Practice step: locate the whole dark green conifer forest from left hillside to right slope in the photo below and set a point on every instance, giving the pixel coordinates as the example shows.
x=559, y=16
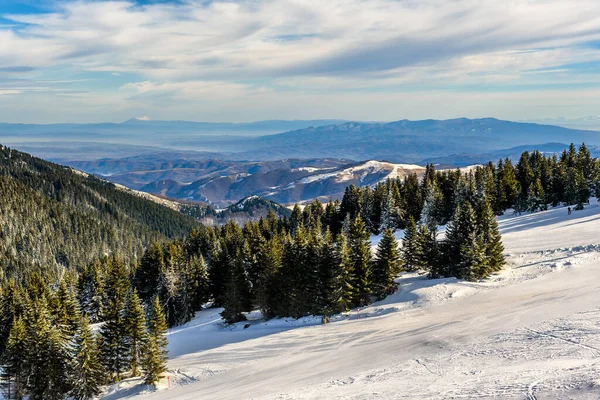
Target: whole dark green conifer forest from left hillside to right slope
x=316, y=261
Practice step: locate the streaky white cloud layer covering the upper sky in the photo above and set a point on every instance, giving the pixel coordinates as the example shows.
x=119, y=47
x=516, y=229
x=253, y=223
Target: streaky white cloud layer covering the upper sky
x=290, y=49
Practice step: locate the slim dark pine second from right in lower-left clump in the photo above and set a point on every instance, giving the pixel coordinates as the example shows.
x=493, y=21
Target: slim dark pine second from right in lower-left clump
x=134, y=321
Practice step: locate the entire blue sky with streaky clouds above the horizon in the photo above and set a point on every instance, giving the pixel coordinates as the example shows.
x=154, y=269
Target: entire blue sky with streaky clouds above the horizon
x=248, y=60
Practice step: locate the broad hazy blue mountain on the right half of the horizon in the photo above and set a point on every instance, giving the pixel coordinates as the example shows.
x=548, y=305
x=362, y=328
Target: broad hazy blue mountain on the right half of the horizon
x=408, y=141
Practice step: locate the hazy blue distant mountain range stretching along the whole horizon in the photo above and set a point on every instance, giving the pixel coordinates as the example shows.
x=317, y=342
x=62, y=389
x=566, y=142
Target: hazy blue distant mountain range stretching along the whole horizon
x=400, y=142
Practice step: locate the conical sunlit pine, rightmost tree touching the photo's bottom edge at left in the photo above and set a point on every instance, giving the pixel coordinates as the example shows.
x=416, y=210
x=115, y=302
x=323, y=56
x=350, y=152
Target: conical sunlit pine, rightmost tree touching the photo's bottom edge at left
x=88, y=372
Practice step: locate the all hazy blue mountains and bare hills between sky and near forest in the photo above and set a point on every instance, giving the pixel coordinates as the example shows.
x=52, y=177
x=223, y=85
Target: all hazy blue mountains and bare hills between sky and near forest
x=283, y=161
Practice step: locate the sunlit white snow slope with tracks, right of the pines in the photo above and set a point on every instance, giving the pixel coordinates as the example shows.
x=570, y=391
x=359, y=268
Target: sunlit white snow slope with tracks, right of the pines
x=529, y=332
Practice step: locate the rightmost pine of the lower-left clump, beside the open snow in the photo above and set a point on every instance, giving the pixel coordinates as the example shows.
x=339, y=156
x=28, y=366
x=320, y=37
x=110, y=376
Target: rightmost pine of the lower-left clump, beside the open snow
x=155, y=356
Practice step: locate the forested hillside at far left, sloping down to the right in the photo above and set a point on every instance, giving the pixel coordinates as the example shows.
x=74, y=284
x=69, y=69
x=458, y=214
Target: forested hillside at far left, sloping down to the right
x=53, y=216
